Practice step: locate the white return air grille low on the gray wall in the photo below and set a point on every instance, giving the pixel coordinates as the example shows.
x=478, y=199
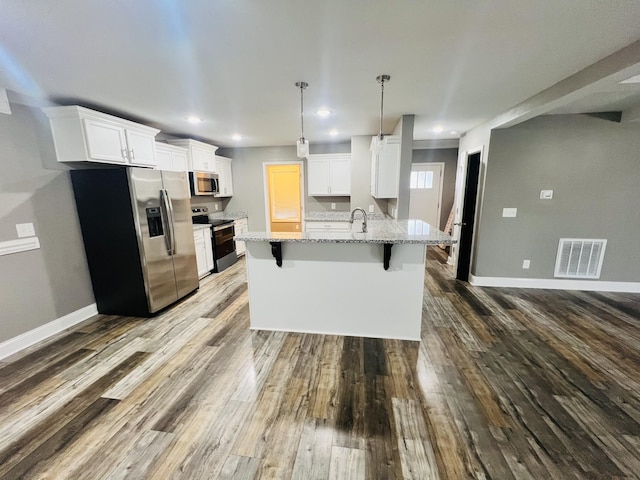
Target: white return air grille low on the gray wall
x=580, y=258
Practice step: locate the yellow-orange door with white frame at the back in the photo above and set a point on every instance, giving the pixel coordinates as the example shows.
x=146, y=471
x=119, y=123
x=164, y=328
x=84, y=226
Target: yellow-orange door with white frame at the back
x=285, y=202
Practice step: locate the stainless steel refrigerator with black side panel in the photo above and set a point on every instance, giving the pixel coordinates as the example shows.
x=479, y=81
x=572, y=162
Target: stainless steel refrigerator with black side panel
x=138, y=237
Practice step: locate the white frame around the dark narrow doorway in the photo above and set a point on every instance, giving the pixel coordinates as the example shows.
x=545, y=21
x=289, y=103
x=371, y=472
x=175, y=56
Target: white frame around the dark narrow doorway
x=459, y=206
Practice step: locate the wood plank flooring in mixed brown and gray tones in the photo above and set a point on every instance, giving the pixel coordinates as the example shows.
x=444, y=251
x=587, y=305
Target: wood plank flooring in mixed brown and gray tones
x=505, y=384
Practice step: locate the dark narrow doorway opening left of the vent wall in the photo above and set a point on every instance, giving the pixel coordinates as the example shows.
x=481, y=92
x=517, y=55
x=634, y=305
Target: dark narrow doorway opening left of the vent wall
x=467, y=221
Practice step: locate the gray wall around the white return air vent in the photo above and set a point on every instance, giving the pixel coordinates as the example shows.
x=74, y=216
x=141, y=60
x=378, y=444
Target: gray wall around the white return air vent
x=592, y=165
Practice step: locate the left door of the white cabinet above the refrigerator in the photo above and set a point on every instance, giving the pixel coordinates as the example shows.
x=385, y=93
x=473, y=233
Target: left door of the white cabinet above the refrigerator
x=106, y=142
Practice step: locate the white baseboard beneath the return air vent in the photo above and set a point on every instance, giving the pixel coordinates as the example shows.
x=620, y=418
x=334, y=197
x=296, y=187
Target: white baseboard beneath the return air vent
x=555, y=284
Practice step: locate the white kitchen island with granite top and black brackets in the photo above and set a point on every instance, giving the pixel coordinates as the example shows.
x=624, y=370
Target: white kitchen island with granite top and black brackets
x=341, y=282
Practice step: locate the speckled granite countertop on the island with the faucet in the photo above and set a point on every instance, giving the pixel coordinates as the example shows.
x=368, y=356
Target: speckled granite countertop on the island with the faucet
x=379, y=231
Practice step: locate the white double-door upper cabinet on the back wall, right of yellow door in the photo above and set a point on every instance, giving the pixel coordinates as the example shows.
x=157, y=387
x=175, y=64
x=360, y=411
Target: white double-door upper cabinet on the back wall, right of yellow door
x=329, y=175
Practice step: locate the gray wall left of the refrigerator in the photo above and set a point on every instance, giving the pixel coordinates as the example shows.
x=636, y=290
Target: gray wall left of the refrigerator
x=41, y=285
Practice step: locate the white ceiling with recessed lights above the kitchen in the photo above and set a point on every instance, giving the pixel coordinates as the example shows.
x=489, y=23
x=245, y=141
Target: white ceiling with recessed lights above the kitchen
x=234, y=63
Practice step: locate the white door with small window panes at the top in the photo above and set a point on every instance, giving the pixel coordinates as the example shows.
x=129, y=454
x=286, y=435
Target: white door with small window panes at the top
x=425, y=192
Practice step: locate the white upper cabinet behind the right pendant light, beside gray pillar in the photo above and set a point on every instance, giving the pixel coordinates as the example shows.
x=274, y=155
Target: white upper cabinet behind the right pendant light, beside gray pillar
x=385, y=169
